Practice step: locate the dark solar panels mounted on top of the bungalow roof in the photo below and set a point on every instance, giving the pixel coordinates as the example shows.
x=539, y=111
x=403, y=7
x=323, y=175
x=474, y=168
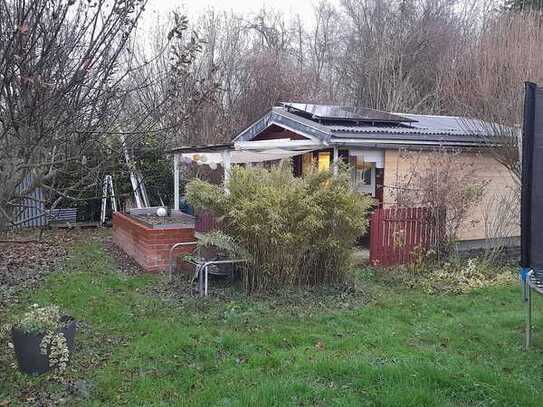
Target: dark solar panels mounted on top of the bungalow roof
x=359, y=114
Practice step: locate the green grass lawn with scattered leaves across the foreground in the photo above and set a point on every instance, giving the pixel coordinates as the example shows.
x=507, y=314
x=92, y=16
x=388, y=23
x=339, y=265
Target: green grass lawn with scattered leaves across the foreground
x=405, y=348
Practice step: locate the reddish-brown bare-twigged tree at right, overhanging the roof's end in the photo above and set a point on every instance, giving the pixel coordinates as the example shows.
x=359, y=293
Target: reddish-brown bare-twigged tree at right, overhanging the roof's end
x=485, y=80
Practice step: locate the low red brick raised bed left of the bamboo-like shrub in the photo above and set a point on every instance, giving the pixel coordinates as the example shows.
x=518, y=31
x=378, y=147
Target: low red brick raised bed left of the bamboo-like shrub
x=149, y=246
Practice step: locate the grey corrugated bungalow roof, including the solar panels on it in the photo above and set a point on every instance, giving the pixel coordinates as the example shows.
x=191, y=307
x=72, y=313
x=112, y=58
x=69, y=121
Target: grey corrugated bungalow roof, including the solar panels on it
x=338, y=125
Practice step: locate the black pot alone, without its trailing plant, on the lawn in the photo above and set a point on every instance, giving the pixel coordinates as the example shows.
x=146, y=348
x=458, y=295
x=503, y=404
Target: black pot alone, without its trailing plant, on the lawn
x=27, y=347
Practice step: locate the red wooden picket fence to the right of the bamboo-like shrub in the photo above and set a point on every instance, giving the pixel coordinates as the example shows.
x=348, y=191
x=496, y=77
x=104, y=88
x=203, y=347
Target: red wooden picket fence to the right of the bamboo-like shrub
x=398, y=234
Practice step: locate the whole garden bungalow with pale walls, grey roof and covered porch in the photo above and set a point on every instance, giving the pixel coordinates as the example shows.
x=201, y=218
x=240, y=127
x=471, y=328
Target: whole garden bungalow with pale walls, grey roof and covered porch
x=370, y=141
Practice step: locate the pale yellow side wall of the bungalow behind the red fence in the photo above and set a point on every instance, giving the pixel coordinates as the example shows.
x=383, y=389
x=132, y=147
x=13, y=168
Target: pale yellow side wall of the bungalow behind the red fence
x=486, y=169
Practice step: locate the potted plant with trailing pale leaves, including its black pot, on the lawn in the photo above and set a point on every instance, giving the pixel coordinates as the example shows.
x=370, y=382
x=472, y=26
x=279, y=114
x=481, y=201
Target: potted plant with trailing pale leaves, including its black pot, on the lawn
x=43, y=339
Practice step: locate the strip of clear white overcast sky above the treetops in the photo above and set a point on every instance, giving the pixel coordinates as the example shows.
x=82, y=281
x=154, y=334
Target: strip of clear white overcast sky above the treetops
x=195, y=7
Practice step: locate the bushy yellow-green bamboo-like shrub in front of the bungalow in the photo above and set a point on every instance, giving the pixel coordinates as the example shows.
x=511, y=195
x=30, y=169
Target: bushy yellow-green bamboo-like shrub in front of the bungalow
x=295, y=231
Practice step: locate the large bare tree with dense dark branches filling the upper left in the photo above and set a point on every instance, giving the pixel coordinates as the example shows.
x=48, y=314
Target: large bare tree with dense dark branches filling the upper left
x=77, y=85
